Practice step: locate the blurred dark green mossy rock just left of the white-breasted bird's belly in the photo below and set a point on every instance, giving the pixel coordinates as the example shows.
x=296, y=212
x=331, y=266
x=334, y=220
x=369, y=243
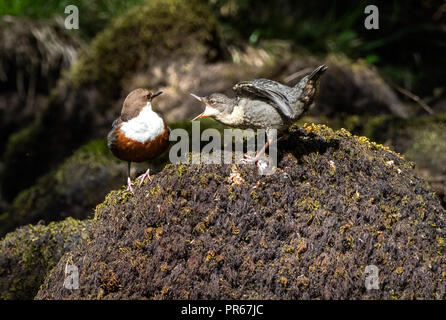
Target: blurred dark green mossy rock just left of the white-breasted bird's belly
x=72, y=190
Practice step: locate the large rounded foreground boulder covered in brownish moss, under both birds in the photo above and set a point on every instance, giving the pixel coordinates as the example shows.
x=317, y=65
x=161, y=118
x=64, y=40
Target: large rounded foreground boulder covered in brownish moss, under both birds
x=336, y=204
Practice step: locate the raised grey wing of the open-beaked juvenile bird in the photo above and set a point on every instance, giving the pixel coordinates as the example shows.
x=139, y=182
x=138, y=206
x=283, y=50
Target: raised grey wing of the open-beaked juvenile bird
x=266, y=90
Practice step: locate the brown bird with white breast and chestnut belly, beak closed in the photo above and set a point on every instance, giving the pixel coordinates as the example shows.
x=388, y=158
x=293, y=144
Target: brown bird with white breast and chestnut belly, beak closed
x=139, y=134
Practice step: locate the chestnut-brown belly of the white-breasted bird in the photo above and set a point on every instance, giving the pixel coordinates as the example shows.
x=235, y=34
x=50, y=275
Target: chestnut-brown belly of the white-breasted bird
x=131, y=150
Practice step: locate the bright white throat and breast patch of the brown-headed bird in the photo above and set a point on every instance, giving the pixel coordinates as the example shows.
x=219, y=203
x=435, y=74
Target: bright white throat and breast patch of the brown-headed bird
x=145, y=127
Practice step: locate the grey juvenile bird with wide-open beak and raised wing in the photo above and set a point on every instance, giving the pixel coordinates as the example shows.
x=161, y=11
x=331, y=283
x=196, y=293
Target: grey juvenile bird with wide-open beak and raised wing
x=263, y=104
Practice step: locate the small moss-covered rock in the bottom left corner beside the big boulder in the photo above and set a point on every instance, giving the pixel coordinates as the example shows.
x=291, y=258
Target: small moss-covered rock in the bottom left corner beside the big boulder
x=28, y=254
